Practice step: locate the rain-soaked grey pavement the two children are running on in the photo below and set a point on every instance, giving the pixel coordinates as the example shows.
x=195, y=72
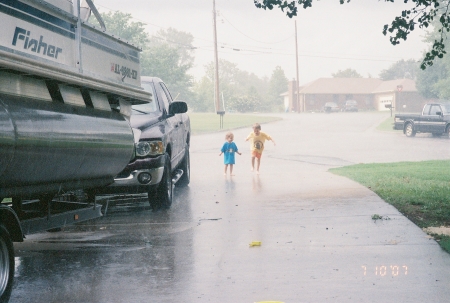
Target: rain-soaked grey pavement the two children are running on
x=318, y=241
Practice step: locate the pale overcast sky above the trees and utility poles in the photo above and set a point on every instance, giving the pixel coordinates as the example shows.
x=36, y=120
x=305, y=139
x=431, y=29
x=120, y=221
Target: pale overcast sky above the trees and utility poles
x=331, y=36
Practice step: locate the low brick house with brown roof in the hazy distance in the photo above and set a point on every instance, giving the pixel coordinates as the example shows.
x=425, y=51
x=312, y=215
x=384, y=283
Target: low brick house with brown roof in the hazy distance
x=370, y=93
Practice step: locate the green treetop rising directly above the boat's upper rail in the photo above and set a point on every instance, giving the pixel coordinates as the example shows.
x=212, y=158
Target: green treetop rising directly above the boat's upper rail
x=120, y=24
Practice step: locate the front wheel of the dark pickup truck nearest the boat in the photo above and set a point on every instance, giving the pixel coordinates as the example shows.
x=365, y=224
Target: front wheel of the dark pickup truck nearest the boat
x=164, y=193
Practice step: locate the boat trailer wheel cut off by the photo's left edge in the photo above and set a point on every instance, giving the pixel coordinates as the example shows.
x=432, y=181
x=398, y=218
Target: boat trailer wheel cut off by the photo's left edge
x=6, y=264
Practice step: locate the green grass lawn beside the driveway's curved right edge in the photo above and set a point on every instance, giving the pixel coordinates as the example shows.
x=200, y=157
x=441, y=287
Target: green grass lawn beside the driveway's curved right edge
x=419, y=190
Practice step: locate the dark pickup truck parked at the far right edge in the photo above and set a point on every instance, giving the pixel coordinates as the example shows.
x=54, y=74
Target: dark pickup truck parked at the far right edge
x=434, y=119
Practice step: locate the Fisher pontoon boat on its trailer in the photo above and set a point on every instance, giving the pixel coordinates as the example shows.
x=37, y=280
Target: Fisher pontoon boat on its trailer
x=66, y=90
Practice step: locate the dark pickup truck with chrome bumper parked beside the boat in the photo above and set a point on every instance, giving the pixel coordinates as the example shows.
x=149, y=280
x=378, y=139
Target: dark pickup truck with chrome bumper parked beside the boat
x=161, y=158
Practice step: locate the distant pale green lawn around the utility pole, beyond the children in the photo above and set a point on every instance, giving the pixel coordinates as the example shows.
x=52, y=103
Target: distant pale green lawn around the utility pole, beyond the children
x=210, y=122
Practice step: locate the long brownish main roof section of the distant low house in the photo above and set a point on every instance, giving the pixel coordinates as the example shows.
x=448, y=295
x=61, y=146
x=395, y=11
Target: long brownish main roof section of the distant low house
x=341, y=86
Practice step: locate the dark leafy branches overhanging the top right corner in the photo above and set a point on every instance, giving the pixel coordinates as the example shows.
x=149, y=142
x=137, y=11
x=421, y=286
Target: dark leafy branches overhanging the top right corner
x=422, y=14
